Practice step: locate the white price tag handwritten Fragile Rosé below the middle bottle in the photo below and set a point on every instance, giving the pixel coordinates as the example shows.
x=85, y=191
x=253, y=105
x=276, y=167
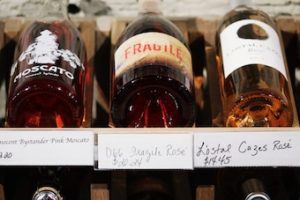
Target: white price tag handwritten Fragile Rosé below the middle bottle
x=145, y=151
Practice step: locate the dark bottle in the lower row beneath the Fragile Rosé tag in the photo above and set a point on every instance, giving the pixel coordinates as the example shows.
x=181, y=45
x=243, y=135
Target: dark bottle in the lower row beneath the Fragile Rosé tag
x=149, y=186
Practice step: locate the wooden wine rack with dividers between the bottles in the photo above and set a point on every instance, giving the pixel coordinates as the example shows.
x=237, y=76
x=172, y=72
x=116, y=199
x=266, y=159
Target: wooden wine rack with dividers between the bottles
x=100, y=36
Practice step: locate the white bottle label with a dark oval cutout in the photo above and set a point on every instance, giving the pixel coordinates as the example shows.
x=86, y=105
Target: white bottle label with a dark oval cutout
x=249, y=42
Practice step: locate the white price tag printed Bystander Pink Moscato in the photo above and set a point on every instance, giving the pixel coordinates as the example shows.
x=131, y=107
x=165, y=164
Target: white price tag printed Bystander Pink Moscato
x=46, y=148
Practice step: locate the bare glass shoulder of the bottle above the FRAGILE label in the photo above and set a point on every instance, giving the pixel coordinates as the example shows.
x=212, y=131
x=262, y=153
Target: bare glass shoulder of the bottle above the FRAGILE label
x=151, y=23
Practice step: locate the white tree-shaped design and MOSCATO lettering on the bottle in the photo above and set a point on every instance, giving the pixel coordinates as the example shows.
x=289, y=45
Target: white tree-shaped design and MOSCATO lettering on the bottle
x=42, y=55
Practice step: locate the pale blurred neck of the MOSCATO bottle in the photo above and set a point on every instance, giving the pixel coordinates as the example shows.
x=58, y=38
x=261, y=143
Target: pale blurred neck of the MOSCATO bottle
x=54, y=10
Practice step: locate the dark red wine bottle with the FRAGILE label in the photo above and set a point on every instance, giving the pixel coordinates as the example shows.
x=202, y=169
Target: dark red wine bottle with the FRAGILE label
x=152, y=77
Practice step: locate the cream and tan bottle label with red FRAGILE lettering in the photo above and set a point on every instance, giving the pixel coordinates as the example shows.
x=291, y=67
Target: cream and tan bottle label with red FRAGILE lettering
x=153, y=48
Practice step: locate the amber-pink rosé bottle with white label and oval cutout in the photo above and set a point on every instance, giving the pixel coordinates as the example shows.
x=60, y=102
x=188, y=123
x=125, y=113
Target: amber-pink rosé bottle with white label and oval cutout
x=254, y=79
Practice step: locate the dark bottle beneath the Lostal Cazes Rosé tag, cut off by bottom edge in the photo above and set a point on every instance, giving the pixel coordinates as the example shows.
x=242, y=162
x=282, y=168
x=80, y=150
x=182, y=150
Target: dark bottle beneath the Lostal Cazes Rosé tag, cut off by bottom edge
x=250, y=184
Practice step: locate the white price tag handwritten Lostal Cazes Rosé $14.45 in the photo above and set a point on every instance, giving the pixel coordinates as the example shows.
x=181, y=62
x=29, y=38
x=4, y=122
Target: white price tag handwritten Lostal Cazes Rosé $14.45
x=222, y=149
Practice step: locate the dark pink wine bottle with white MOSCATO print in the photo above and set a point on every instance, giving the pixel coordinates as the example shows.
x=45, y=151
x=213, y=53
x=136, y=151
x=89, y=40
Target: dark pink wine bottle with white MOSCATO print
x=47, y=79
